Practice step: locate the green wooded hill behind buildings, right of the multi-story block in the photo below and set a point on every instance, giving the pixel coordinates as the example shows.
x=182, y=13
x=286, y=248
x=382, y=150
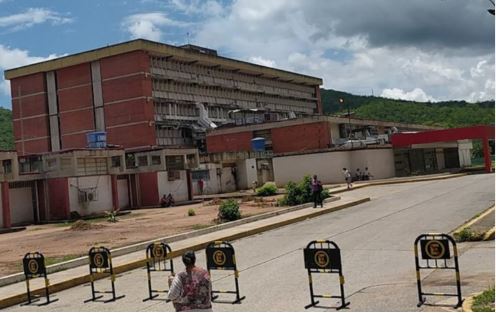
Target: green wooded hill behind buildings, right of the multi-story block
x=444, y=114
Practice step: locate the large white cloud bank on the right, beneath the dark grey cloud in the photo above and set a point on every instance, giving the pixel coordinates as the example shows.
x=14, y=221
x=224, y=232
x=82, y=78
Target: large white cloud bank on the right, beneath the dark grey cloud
x=300, y=36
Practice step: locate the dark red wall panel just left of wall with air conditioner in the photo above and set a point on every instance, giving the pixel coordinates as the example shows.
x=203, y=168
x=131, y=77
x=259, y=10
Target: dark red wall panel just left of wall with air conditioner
x=58, y=195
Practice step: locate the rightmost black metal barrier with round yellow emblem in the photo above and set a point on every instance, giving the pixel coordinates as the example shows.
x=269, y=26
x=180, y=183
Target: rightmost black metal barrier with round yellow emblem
x=435, y=248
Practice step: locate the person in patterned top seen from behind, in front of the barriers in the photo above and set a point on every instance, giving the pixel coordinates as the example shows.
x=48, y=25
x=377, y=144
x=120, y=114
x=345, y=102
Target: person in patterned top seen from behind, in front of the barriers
x=191, y=289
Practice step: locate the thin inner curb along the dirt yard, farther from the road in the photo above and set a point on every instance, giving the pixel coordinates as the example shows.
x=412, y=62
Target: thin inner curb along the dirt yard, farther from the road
x=18, y=277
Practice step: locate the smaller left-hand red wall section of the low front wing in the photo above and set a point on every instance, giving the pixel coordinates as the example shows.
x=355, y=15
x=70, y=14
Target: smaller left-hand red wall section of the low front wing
x=230, y=142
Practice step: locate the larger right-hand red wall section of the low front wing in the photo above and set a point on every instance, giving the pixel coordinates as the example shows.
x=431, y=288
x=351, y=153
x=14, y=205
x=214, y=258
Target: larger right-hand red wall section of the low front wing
x=301, y=137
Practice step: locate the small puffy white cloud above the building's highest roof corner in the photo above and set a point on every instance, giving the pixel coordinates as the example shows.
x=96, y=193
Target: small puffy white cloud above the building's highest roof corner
x=148, y=25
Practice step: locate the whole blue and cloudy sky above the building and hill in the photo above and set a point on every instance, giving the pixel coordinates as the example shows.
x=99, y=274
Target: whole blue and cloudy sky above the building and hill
x=423, y=50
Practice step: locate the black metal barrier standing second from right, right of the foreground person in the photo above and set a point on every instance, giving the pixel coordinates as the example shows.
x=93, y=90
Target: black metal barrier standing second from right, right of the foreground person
x=324, y=256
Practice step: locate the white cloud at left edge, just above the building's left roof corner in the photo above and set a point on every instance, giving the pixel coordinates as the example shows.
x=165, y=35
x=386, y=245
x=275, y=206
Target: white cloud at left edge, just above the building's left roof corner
x=11, y=58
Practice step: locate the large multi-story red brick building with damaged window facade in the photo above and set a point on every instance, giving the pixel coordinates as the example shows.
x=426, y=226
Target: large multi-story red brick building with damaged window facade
x=146, y=94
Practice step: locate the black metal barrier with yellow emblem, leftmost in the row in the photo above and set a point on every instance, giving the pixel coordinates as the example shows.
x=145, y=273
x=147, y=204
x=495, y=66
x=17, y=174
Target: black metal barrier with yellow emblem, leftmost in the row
x=34, y=266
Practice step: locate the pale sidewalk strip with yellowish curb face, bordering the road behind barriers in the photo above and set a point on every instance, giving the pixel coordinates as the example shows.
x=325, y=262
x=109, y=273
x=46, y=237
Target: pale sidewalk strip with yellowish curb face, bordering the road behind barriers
x=15, y=293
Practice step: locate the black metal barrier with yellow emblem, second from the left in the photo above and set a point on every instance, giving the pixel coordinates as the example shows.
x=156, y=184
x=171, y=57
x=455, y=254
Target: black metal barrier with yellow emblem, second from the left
x=101, y=262
